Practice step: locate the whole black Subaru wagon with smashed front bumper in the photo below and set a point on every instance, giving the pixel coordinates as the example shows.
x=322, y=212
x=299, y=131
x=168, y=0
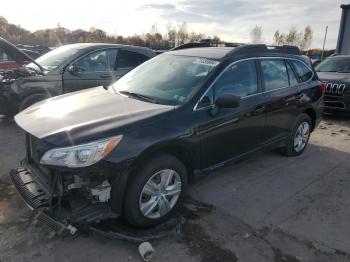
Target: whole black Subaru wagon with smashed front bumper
x=131, y=150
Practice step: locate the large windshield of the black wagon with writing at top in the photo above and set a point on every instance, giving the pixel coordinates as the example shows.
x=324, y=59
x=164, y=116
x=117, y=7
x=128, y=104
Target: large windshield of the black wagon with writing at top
x=166, y=79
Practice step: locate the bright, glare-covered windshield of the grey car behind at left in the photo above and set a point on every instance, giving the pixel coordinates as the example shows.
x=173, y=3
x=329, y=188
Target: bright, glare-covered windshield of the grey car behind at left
x=54, y=58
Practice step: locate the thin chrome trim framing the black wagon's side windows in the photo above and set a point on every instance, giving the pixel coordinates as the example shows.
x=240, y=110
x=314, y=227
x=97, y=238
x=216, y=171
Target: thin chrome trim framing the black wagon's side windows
x=264, y=92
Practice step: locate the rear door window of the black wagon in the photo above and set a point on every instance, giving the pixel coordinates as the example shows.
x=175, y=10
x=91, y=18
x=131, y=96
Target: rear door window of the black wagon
x=274, y=74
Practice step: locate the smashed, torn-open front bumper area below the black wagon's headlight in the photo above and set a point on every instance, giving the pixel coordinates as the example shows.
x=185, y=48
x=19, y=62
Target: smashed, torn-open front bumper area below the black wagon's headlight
x=60, y=209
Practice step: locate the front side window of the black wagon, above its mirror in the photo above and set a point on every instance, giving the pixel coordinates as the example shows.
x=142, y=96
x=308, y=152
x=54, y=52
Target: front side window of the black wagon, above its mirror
x=239, y=79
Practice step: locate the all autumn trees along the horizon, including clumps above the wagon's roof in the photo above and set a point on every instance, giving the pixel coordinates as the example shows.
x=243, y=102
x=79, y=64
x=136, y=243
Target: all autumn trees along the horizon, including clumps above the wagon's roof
x=175, y=35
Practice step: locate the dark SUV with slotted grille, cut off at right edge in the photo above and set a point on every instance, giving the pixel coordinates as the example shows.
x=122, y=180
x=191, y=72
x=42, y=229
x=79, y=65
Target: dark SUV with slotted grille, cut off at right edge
x=335, y=72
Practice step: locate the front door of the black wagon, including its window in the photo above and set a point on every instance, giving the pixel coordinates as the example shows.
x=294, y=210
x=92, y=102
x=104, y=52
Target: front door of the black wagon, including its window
x=231, y=132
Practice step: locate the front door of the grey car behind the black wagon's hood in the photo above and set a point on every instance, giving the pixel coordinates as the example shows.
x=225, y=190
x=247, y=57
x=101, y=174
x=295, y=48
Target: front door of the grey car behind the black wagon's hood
x=94, y=69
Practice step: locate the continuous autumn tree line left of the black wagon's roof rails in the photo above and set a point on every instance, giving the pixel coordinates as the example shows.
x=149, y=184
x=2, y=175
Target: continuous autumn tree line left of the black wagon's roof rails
x=175, y=35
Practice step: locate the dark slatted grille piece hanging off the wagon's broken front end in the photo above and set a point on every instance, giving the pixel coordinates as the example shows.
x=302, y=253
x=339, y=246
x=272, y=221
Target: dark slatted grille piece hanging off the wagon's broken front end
x=29, y=189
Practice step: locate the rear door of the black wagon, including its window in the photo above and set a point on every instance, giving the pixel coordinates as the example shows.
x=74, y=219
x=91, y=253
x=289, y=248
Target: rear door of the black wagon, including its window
x=282, y=91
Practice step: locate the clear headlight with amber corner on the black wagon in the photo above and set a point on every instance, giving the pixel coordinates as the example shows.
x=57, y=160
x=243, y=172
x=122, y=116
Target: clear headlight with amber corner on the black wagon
x=80, y=155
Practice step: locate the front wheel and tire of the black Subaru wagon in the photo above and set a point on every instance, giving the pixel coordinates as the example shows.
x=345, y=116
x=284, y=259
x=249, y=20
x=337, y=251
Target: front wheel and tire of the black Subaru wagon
x=154, y=192
